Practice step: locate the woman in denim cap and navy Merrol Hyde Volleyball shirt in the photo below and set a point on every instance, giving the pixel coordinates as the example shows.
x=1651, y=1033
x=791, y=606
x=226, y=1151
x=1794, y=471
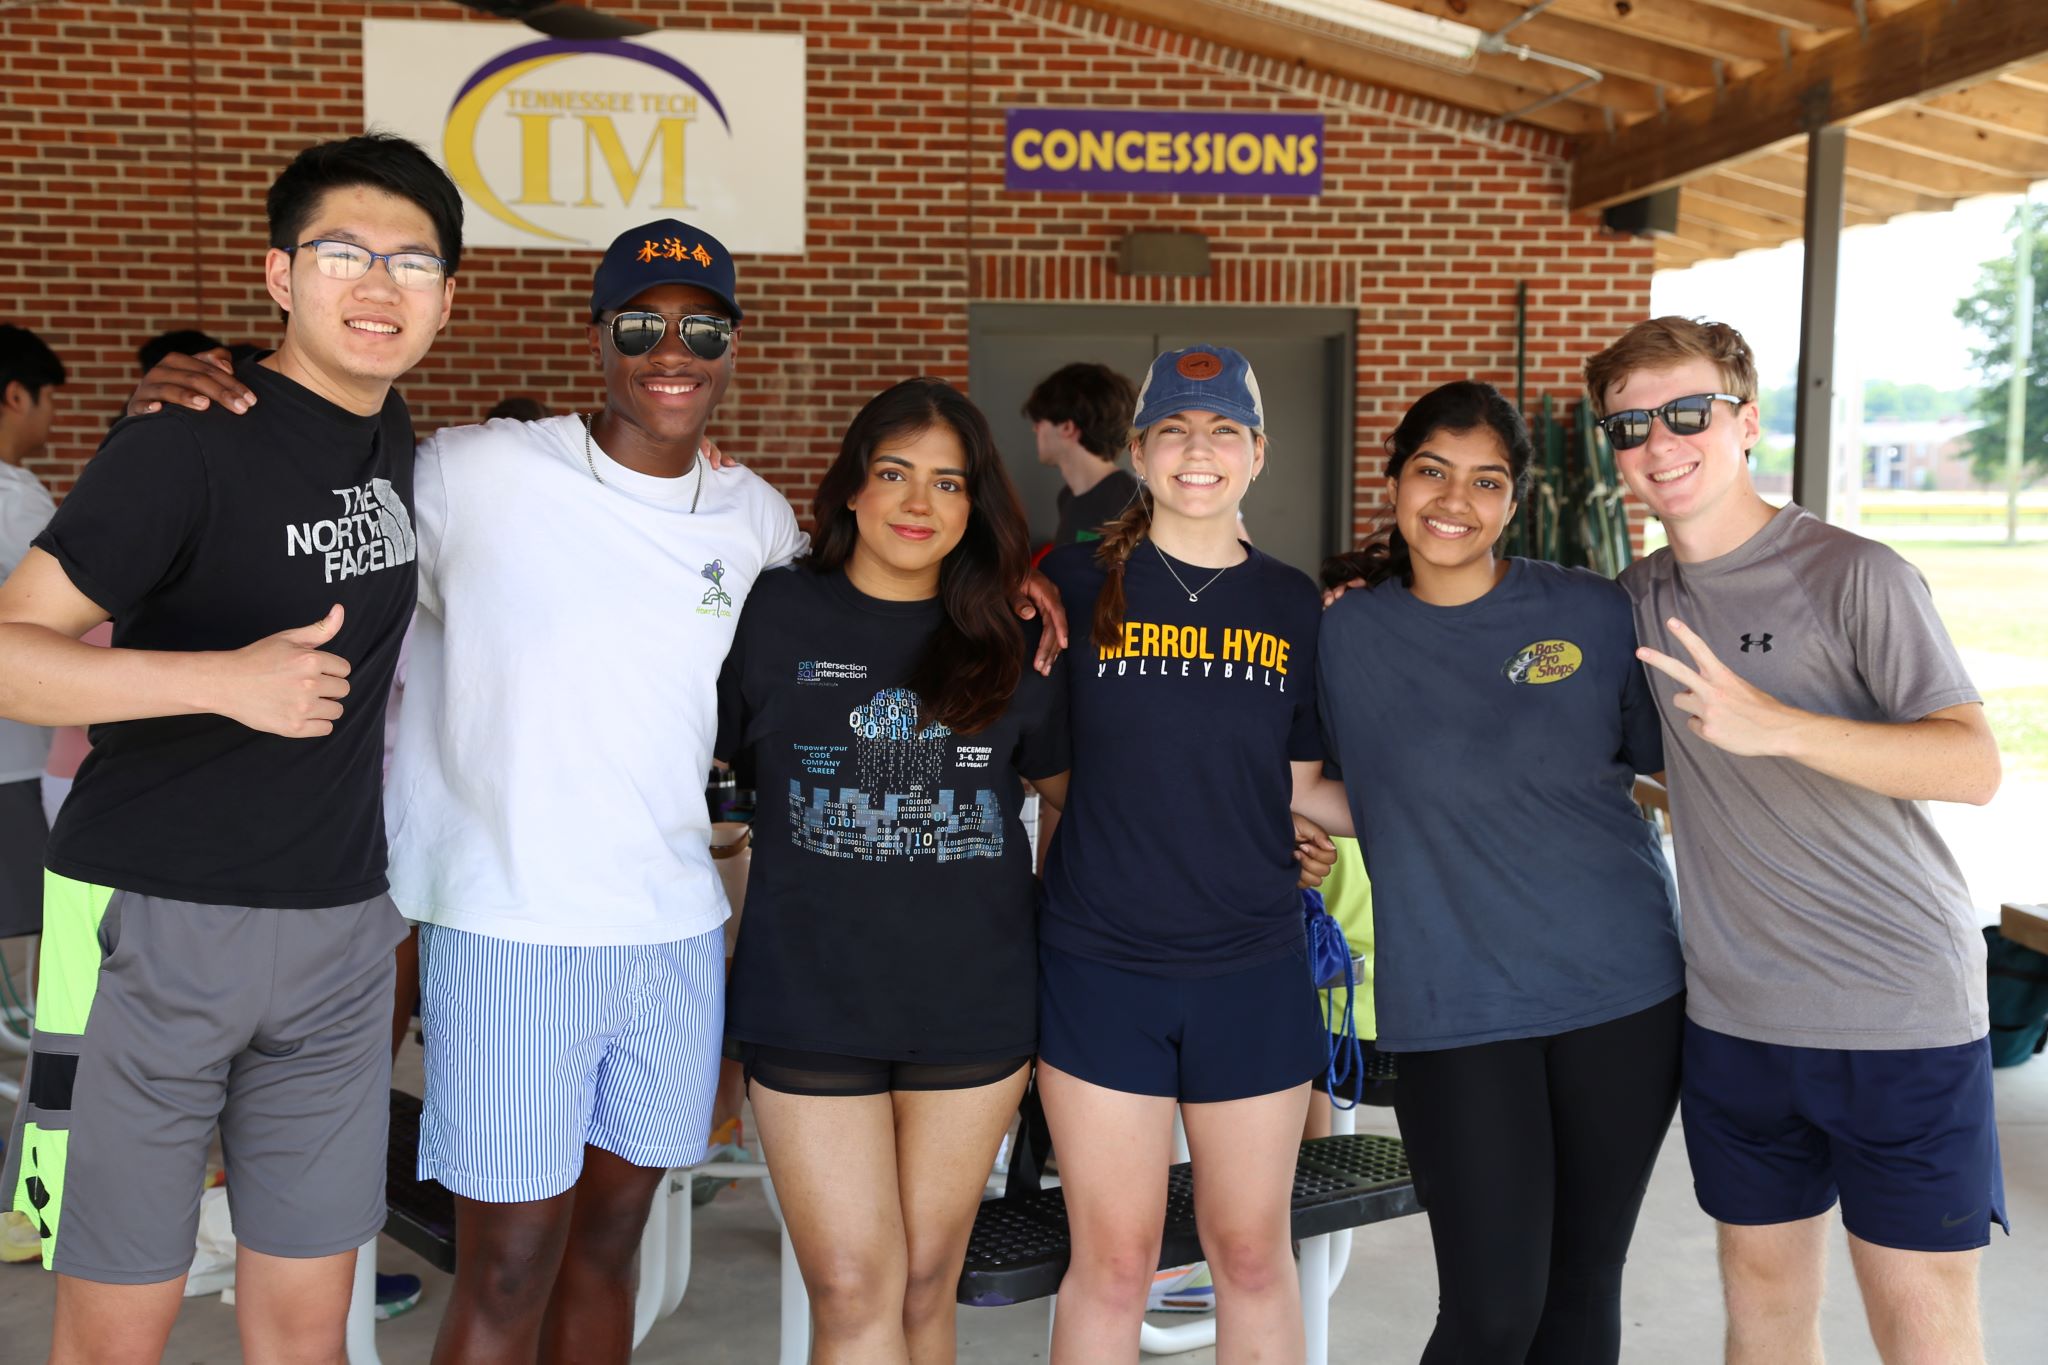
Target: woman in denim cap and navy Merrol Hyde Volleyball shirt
x=1172, y=961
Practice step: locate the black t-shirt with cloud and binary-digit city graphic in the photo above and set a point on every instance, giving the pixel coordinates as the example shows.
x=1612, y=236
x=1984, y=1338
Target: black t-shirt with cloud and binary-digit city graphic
x=892, y=901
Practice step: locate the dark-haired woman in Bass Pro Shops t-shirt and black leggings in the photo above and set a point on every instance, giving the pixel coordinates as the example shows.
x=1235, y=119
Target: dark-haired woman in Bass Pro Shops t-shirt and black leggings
x=1490, y=717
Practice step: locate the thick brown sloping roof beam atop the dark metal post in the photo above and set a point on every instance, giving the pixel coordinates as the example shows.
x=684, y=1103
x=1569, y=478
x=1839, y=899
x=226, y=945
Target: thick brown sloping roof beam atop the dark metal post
x=1916, y=52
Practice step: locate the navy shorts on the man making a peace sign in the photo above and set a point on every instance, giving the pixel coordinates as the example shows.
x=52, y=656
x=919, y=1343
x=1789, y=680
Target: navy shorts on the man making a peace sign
x=1906, y=1139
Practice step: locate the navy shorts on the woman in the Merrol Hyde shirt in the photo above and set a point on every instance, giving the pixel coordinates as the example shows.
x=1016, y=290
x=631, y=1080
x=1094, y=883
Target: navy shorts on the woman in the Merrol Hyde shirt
x=1197, y=1039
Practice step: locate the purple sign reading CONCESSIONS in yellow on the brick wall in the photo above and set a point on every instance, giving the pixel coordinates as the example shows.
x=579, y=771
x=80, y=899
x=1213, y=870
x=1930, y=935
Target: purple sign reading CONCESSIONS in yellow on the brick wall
x=1162, y=152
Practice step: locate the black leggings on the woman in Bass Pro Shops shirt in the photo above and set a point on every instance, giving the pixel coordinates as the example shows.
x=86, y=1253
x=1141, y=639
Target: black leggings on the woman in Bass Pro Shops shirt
x=1533, y=1157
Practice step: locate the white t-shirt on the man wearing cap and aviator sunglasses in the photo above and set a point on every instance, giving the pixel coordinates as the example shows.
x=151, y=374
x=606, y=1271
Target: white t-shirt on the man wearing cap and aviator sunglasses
x=548, y=783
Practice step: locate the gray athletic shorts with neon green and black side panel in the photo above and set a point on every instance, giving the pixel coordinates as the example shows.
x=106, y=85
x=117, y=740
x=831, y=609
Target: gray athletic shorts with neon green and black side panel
x=159, y=1020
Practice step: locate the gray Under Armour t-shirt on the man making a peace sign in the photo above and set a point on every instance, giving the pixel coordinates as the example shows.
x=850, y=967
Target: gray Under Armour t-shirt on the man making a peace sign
x=1816, y=914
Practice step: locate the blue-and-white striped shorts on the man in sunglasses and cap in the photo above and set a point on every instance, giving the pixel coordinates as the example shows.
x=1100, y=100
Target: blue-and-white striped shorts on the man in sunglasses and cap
x=536, y=1051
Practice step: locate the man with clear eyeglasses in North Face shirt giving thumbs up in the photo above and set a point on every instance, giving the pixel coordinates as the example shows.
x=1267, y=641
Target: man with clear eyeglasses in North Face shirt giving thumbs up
x=218, y=938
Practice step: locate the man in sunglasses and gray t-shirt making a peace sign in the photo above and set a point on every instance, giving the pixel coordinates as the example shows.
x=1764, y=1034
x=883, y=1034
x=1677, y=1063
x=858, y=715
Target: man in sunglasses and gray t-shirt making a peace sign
x=1836, y=1041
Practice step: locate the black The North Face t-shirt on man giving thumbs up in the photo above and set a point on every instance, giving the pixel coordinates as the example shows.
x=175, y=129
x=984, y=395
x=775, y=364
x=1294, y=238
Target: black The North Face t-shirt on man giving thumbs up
x=208, y=533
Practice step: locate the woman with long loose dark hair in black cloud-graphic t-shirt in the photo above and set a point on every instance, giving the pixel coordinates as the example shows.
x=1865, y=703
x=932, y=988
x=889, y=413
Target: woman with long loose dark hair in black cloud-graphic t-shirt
x=884, y=992
